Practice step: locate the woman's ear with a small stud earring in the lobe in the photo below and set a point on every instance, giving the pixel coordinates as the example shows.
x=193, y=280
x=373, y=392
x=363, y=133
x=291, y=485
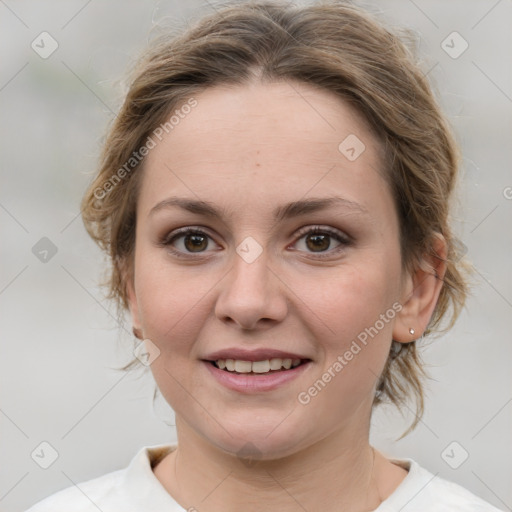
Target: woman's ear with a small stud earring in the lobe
x=420, y=291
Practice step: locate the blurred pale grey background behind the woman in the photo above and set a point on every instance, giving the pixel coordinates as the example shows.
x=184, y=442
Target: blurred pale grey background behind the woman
x=59, y=336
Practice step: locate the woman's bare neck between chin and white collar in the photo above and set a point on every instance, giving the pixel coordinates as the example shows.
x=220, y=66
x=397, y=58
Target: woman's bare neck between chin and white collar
x=338, y=472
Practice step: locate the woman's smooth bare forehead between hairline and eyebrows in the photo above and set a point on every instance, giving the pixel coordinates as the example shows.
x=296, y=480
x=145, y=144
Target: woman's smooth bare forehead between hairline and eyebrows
x=267, y=141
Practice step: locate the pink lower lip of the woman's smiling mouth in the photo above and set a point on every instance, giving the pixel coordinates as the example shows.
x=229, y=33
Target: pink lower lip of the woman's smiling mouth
x=253, y=383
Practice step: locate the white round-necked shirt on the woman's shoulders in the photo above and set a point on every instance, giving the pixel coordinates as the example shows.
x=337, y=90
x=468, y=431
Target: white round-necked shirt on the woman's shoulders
x=136, y=489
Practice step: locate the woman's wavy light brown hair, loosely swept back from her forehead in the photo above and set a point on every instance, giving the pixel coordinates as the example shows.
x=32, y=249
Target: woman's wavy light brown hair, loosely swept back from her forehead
x=331, y=45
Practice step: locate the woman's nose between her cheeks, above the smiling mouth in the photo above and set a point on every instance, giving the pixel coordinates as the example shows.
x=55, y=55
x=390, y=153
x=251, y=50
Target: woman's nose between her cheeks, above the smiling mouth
x=252, y=295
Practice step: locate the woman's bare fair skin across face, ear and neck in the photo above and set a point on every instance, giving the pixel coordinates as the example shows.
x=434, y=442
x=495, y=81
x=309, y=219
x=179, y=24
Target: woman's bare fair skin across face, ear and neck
x=249, y=149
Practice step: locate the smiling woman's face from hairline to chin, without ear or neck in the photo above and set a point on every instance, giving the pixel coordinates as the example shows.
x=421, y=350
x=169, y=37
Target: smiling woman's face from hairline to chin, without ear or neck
x=296, y=257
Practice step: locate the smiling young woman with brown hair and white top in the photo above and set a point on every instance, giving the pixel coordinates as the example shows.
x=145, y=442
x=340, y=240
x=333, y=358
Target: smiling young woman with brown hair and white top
x=274, y=197
